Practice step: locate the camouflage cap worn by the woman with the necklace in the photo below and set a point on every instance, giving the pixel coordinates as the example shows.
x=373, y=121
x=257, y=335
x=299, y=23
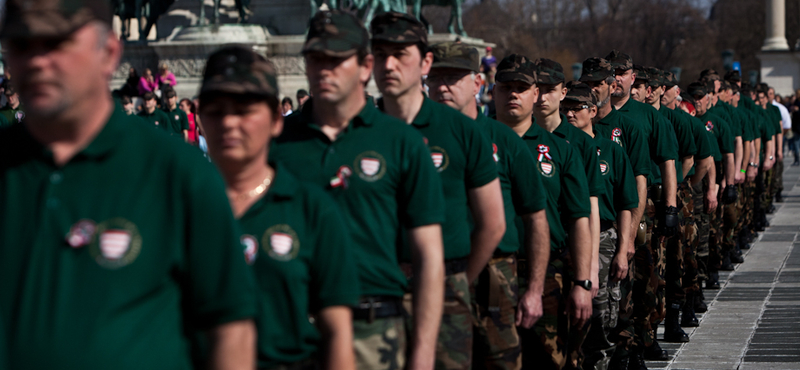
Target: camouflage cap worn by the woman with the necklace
x=237, y=70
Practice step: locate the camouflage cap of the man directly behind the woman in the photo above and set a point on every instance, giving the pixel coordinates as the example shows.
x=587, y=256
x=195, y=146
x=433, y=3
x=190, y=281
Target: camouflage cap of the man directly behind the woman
x=336, y=34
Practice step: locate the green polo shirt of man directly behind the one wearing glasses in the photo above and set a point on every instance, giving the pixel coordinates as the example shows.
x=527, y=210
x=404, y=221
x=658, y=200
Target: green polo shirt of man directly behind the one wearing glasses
x=625, y=132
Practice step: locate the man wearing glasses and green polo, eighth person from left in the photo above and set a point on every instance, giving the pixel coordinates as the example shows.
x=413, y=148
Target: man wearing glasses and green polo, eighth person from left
x=616, y=243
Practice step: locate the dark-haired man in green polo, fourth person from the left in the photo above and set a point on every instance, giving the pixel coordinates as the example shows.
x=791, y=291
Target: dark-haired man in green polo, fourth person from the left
x=462, y=155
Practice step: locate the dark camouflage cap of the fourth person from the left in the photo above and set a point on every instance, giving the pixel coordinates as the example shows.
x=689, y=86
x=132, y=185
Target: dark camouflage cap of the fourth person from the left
x=399, y=28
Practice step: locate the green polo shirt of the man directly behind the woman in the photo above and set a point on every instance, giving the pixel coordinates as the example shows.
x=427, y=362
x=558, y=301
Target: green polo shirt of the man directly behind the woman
x=380, y=173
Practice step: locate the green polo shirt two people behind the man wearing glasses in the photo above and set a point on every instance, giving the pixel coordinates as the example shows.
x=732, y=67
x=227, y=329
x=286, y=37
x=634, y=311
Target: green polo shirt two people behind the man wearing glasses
x=657, y=130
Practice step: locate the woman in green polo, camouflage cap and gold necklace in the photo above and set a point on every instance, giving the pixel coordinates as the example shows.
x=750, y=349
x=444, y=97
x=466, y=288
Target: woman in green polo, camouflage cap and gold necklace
x=292, y=233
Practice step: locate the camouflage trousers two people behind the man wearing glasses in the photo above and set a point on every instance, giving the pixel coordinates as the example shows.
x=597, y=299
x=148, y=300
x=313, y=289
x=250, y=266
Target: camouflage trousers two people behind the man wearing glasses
x=646, y=300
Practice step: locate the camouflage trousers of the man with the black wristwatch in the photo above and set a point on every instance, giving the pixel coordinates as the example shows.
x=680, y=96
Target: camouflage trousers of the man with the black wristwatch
x=546, y=343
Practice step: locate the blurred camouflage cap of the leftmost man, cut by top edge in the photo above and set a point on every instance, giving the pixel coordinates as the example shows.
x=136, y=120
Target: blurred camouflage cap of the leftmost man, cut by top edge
x=49, y=18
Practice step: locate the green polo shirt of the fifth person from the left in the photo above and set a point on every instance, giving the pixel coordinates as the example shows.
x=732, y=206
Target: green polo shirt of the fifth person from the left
x=520, y=181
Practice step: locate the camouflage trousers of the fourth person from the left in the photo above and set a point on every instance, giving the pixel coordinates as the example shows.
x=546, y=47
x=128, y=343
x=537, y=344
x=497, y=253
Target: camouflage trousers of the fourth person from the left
x=454, y=345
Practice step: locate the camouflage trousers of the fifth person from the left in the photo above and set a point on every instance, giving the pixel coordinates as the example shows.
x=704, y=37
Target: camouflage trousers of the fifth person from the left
x=496, y=343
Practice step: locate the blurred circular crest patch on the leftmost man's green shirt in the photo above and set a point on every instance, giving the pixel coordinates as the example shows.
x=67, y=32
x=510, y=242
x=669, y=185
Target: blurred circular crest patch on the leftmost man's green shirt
x=116, y=243
